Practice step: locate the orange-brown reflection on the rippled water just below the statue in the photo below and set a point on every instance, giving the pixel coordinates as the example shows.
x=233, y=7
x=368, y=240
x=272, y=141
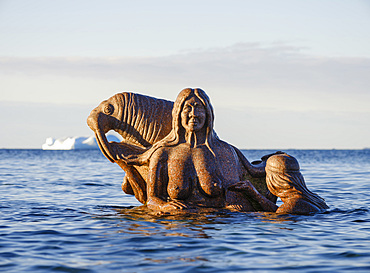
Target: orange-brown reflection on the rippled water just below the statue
x=133, y=221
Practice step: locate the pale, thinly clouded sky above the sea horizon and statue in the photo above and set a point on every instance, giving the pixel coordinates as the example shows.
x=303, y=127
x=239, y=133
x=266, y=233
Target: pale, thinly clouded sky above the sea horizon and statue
x=280, y=74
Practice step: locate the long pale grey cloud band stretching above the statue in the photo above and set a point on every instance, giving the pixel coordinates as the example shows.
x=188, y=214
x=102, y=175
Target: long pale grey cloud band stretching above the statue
x=242, y=64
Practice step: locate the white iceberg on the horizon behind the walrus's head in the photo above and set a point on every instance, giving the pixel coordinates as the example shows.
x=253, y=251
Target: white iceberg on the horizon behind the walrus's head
x=74, y=143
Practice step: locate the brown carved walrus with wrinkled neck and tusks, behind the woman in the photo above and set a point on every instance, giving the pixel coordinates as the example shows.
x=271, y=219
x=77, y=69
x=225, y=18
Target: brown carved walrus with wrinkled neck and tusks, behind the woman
x=141, y=121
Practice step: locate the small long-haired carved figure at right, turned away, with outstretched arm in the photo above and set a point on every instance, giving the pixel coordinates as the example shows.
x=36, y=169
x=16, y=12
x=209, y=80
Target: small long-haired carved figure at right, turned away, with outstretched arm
x=284, y=180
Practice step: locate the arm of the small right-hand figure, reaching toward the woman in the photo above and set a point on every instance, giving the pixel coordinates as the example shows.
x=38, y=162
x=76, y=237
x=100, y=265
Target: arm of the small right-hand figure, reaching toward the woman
x=247, y=188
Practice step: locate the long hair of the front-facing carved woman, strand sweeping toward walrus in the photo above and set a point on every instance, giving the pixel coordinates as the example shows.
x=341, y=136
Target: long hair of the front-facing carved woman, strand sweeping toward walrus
x=174, y=137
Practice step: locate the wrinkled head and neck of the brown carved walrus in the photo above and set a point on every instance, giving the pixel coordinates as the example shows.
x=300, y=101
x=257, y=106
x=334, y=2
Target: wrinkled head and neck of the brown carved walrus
x=140, y=120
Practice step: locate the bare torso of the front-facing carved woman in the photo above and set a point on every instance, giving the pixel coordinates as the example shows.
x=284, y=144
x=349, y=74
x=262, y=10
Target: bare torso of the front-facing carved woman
x=195, y=175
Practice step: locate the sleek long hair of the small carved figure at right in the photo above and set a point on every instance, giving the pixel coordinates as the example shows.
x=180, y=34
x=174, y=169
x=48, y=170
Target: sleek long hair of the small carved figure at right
x=284, y=179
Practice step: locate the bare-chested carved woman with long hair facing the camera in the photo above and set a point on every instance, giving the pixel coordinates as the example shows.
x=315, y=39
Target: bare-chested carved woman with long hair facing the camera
x=190, y=167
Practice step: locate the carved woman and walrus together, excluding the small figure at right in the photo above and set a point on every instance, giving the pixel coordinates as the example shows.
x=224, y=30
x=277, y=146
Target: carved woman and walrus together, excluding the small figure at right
x=172, y=157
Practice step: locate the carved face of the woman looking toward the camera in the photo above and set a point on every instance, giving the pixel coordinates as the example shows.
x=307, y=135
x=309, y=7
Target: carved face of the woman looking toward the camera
x=193, y=114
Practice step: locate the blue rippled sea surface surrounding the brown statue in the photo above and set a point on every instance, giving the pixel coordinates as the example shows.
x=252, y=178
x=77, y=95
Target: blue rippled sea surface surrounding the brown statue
x=64, y=211
